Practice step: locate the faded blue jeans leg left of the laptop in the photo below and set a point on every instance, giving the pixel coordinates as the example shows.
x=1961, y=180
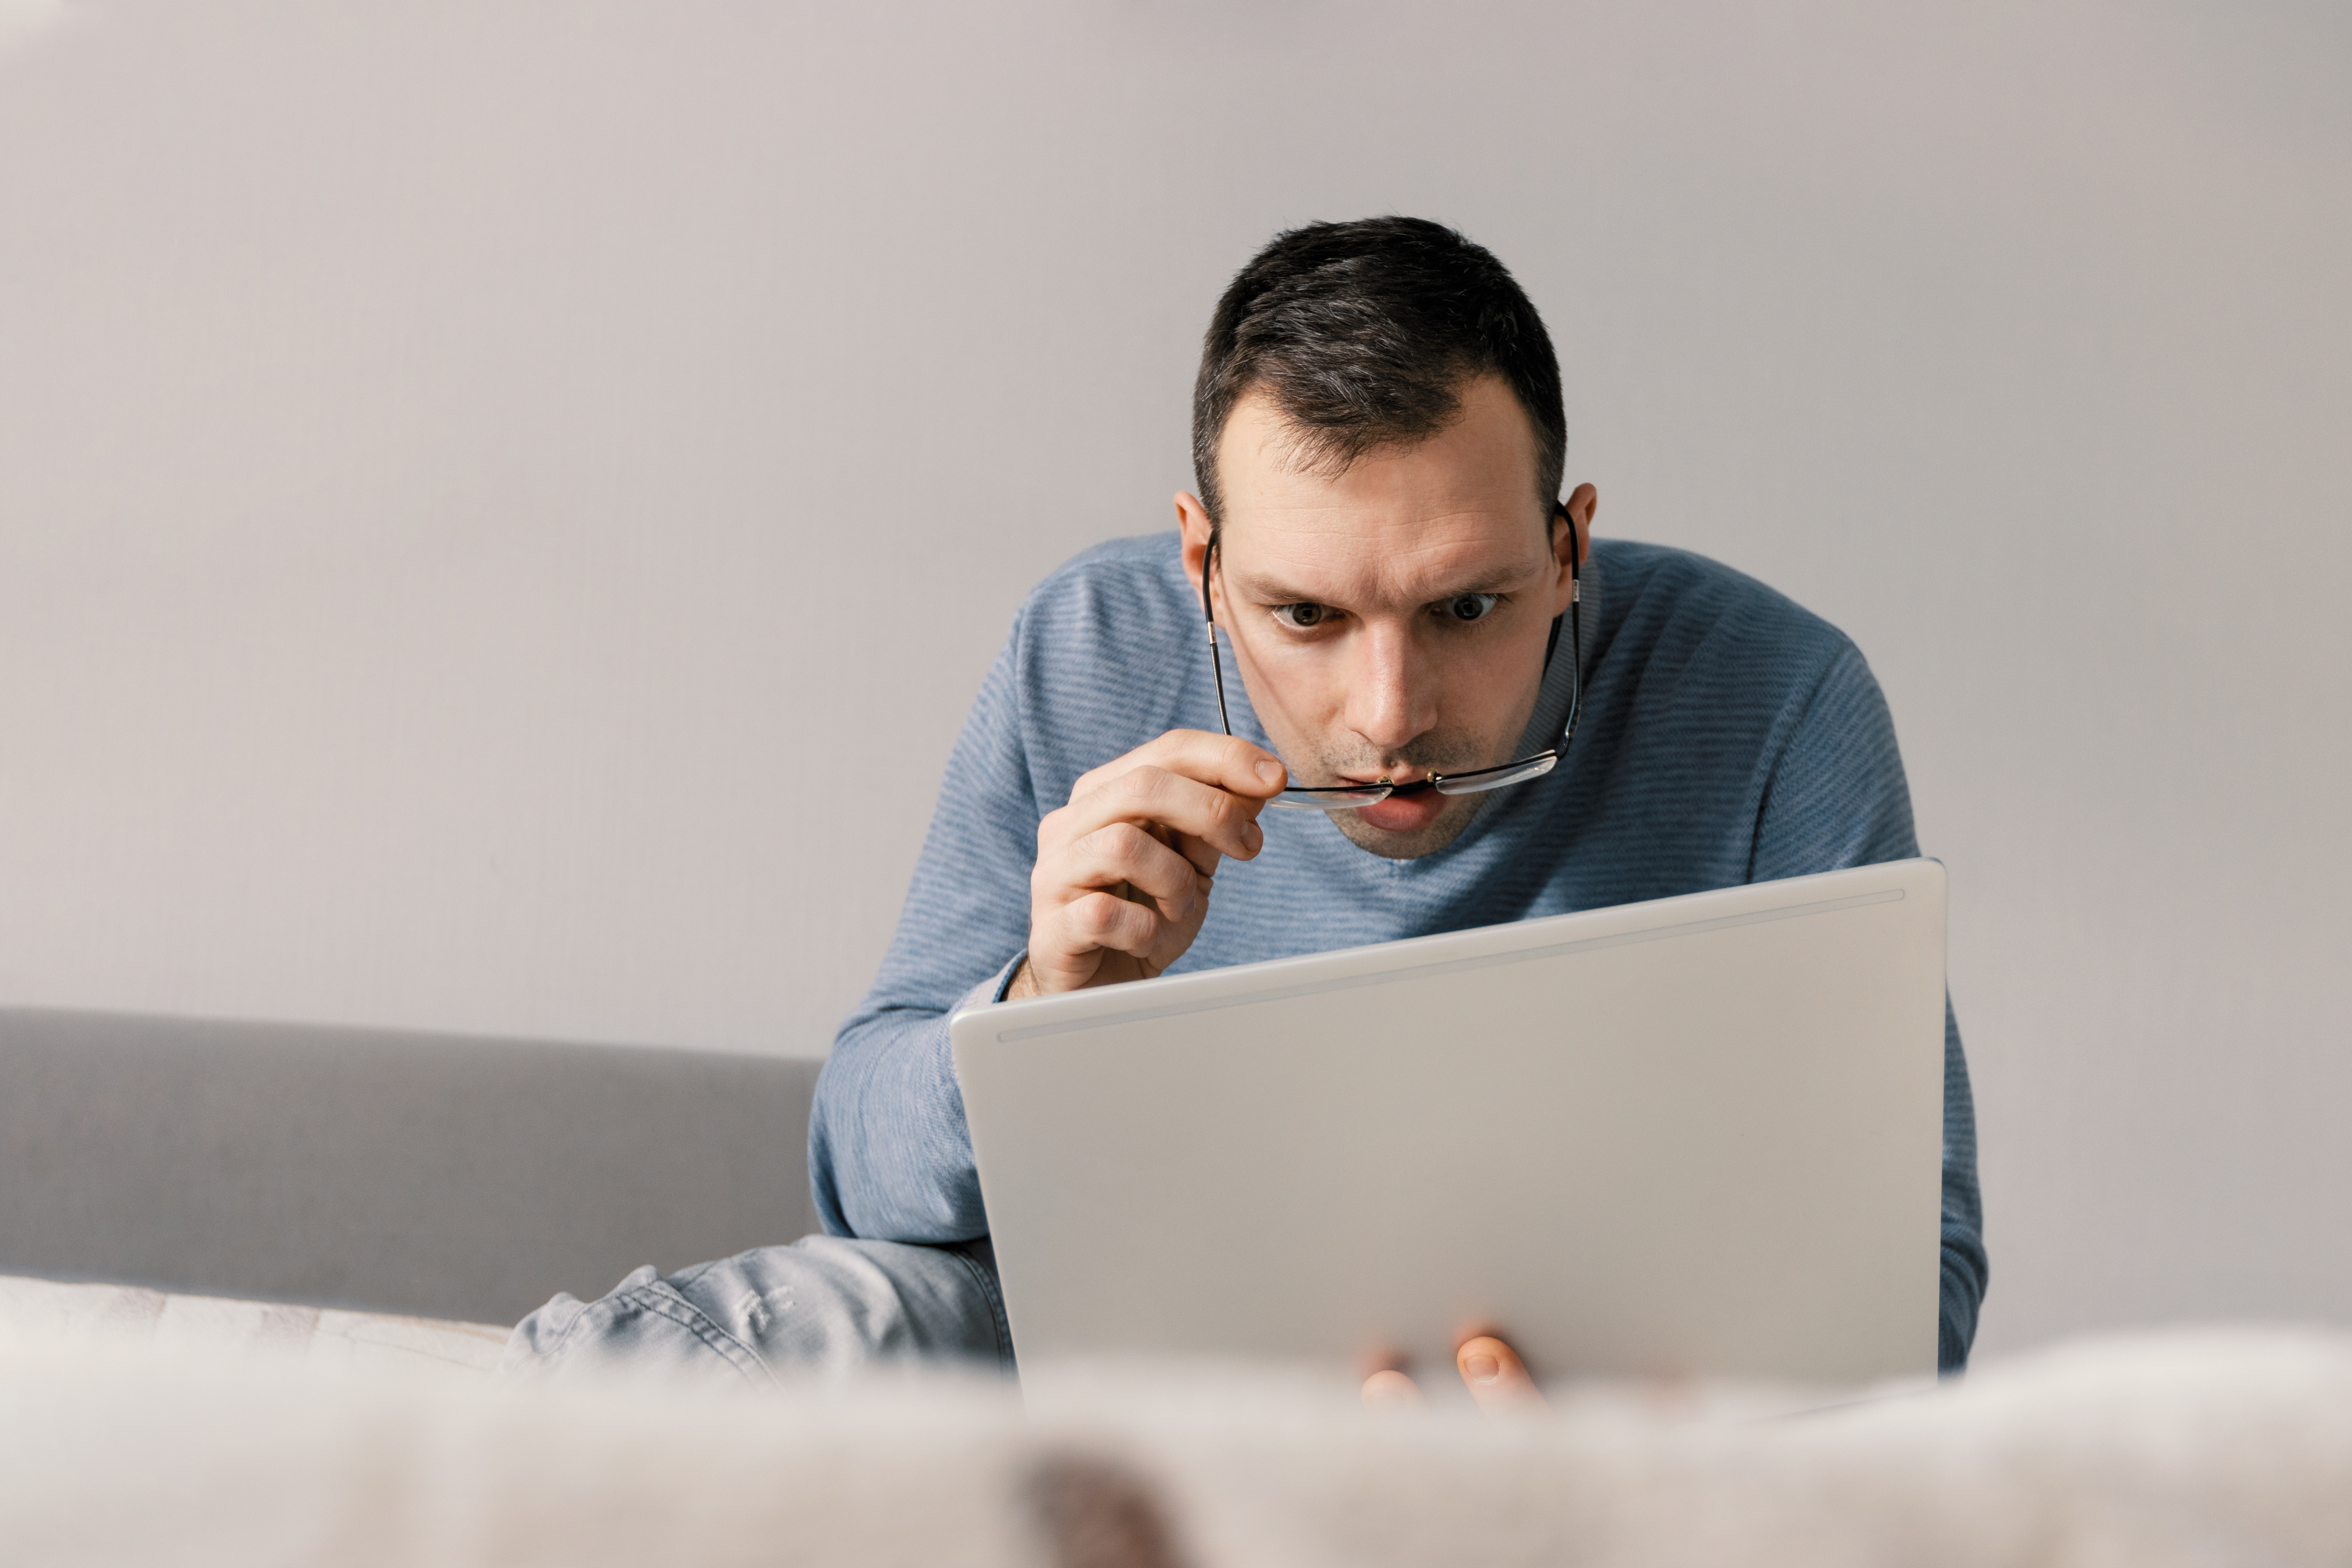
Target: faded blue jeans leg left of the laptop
x=817, y=1306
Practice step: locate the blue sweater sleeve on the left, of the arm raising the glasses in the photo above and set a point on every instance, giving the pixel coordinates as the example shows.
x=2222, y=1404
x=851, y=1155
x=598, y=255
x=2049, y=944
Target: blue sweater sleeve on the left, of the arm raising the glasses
x=890, y=1155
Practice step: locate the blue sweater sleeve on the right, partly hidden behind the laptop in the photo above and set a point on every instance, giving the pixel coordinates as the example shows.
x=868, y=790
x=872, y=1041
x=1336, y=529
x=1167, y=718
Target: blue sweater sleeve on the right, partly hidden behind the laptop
x=1838, y=798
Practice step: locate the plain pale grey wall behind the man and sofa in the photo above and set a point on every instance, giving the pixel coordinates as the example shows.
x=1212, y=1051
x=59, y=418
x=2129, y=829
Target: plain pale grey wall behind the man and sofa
x=505, y=507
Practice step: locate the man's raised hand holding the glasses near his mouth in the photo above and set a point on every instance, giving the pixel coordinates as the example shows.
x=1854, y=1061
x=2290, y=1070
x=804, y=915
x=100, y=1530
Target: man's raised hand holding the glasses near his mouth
x=1125, y=869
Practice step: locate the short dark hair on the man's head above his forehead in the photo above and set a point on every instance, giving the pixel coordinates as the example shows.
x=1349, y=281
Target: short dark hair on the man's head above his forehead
x=1365, y=335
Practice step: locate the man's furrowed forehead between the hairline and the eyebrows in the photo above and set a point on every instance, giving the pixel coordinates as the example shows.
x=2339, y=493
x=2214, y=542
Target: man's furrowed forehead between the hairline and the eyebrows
x=1401, y=523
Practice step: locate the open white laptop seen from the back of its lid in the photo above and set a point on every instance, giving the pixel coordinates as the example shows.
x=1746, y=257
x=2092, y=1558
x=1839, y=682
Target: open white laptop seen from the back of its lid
x=1697, y=1137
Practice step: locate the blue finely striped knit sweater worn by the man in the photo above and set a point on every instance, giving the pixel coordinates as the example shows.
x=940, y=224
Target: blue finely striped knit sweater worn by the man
x=1728, y=737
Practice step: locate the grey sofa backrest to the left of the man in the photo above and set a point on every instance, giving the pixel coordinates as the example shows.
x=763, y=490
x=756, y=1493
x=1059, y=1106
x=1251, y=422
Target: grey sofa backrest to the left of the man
x=385, y=1170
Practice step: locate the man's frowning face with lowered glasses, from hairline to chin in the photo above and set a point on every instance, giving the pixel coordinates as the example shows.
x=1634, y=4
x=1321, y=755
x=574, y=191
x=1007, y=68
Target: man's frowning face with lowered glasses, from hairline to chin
x=1389, y=619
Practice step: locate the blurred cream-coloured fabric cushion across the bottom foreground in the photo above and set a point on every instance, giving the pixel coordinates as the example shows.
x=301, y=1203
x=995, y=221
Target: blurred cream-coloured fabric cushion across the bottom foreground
x=196, y=1447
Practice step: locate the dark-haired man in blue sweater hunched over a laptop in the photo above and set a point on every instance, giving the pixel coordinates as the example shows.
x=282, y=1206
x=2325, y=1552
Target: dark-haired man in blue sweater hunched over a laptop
x=1379, y=445
